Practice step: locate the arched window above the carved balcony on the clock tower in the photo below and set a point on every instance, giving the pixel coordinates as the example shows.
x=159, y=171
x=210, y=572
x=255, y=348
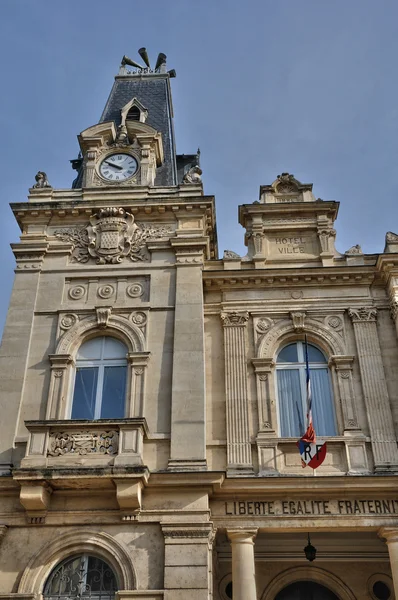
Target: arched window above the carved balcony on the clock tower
x=100, y=380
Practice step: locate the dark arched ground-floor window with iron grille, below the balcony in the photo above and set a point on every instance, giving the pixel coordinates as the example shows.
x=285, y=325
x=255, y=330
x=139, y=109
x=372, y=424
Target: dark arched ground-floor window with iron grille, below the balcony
x=81, y=577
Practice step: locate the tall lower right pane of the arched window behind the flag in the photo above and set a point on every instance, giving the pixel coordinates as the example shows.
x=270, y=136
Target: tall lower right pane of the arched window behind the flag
x=322, y=404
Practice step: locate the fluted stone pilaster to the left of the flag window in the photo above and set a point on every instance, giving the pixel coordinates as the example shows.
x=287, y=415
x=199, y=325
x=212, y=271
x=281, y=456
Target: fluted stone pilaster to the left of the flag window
x=239, y=455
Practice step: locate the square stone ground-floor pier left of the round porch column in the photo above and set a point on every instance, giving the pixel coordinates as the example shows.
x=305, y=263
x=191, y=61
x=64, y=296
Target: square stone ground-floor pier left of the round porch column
x=188, y=561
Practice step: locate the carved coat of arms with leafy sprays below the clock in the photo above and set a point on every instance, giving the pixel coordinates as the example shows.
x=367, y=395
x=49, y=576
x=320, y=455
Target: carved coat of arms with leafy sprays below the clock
x=111, y=236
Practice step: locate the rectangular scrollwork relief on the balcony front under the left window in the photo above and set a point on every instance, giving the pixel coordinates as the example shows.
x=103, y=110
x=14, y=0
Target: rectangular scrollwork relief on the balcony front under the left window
x=83, y=442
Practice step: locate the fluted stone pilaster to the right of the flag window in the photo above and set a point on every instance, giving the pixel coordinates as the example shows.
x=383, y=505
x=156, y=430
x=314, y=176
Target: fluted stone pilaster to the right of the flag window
x=377, y=402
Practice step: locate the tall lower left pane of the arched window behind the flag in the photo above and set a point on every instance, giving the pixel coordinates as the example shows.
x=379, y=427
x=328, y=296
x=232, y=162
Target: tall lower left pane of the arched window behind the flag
x=290, y=403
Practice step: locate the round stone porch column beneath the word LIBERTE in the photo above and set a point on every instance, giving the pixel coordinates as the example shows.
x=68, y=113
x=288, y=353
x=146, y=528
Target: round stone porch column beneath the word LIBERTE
x=243, y=570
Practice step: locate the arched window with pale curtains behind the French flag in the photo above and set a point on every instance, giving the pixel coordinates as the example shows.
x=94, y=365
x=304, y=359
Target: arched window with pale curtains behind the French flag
x=292, y=394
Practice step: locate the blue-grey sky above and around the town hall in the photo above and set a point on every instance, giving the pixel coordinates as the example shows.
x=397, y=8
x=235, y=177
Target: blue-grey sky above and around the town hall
x=262, y=86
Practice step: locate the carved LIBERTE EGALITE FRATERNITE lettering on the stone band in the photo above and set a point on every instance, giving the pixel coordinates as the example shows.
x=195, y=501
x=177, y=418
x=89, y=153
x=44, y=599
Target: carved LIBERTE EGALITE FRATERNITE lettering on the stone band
x=280, y=508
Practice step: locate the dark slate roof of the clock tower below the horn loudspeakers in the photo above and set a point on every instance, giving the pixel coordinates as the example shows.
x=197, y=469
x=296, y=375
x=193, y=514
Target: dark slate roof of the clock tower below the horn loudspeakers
x=153, y=93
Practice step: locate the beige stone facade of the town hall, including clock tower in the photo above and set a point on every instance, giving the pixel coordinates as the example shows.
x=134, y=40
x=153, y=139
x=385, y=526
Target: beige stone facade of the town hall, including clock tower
x=196, y=486
